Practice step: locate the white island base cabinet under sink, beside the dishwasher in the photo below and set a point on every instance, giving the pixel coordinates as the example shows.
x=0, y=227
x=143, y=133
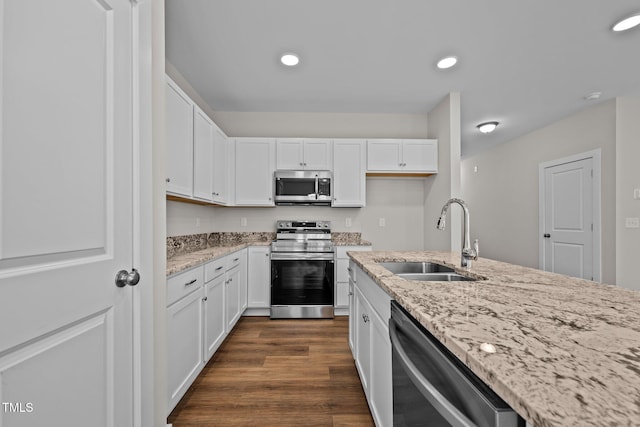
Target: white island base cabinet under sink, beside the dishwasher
x=371, y=346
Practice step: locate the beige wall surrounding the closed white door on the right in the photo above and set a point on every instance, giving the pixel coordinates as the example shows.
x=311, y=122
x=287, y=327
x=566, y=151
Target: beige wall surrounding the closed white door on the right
x=503, y=193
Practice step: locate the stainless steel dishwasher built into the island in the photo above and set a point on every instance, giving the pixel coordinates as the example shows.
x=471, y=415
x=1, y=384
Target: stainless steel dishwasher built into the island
x=431, y=387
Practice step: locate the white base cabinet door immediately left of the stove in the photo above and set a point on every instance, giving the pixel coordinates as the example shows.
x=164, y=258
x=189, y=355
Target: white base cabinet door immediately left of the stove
x=259, y=277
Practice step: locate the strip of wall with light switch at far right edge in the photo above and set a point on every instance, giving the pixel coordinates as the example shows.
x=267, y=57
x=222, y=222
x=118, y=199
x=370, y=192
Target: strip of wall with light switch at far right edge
x=627, y=179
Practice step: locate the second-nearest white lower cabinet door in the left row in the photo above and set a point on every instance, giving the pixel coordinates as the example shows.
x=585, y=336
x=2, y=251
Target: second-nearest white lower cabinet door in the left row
x=214, y=316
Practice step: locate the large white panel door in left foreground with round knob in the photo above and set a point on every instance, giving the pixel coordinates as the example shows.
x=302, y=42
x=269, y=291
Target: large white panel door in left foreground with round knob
x=65, y=213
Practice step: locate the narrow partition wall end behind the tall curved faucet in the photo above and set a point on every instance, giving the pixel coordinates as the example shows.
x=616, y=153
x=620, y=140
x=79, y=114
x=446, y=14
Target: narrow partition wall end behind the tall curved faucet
x=444, y=125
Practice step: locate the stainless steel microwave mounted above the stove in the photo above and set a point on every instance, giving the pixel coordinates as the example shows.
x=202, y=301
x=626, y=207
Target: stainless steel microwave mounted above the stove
x=302, y=187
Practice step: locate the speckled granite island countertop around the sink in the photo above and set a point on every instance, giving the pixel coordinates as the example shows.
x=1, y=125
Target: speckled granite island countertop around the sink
x=568, y=350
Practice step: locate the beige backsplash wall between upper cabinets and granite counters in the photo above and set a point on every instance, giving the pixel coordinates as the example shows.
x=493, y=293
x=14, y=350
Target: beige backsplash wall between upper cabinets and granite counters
x=398, y=200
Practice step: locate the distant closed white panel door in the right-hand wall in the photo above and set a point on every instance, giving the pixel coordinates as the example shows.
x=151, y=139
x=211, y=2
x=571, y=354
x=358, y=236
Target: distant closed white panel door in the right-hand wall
x=568, y=219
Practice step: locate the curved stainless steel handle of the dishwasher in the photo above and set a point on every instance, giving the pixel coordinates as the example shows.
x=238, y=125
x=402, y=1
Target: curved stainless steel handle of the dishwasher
x=431, y=393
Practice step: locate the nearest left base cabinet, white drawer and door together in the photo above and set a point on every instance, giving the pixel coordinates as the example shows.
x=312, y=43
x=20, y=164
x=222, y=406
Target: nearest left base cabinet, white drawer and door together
x=184, y=332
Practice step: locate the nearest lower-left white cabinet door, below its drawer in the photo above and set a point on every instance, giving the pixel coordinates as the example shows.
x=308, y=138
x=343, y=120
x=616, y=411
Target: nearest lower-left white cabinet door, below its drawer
x=184, y=344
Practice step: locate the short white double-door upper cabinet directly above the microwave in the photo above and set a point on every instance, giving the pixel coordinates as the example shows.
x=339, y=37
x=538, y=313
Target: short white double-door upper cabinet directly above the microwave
x=307, y=153
